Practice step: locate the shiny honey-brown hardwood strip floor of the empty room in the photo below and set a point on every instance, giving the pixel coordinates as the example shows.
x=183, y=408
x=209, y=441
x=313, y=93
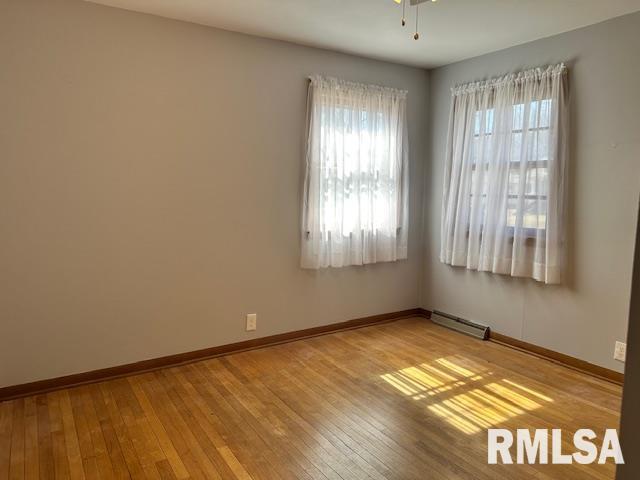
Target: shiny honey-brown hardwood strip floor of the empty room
x=401, y=400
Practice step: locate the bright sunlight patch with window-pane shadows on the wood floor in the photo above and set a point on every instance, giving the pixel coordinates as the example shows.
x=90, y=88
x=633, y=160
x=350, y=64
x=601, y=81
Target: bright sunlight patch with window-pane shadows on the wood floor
x=469, y=400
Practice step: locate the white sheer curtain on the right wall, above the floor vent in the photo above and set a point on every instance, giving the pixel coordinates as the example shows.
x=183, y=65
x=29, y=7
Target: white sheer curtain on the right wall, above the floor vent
x=504, y=181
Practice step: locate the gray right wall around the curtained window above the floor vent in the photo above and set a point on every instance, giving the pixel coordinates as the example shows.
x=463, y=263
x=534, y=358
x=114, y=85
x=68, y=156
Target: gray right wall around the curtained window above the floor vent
x=586, y=316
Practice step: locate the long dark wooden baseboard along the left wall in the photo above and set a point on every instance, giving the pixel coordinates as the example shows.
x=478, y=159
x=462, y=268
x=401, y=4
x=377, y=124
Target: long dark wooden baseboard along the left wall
x=43, y=386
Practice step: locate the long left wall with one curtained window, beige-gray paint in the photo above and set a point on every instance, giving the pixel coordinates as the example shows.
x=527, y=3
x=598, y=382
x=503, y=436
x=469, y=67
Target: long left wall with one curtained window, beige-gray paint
x=149, y=189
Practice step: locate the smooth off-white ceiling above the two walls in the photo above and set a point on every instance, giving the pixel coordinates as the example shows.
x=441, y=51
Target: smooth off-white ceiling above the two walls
x=450, y=30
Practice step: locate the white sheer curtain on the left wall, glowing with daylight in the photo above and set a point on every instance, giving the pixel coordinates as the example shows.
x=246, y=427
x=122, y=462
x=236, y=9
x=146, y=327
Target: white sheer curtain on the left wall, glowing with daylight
x=356, y=182
